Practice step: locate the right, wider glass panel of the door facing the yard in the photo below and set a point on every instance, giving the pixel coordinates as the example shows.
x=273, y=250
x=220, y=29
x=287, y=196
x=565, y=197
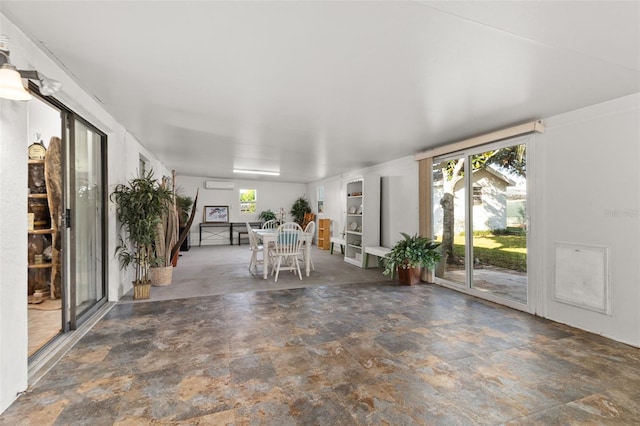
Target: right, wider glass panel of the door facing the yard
x=498, y=211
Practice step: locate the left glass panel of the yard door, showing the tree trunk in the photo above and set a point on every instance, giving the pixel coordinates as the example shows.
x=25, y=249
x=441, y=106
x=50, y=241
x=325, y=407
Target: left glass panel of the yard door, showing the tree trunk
x=449, y=218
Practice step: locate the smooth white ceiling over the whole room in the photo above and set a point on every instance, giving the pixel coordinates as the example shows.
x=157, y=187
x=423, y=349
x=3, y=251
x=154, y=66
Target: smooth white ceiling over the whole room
x=314, y=89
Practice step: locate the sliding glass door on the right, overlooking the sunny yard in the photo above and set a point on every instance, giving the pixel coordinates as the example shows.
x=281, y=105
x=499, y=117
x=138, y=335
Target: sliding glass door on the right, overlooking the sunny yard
x=480, y=218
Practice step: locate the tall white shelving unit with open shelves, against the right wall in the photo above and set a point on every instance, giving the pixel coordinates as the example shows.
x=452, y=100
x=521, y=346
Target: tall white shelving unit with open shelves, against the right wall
x=363, y=218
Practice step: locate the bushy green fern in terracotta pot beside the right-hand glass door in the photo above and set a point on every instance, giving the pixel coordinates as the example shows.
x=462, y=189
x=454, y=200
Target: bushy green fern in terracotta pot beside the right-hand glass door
x=409, y=256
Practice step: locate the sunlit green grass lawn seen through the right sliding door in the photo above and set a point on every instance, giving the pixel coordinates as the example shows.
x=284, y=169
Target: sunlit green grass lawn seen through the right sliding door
x=502, y=251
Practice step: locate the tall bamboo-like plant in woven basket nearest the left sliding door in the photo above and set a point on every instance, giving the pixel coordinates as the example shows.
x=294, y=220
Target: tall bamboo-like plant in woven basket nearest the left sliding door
x=139, y=207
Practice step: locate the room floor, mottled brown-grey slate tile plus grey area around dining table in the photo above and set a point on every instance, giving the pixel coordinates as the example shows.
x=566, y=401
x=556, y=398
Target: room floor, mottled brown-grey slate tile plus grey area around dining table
x=368, y=353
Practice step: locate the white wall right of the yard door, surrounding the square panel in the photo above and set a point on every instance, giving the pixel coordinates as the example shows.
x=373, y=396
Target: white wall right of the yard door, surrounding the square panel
x=590, y=185
